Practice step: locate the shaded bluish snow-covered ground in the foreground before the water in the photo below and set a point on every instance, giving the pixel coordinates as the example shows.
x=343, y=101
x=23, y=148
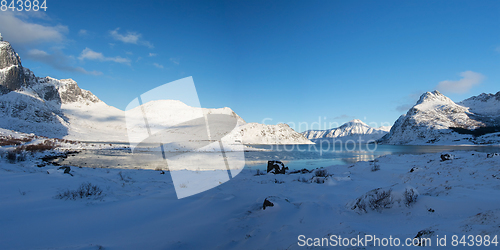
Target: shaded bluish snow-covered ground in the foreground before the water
x=138, y=209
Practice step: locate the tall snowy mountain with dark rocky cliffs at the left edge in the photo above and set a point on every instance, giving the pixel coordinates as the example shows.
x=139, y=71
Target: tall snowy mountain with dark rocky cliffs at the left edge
x=50, y=107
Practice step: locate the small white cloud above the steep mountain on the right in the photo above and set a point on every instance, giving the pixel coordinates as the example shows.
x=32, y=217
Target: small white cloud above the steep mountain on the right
x=469, y=80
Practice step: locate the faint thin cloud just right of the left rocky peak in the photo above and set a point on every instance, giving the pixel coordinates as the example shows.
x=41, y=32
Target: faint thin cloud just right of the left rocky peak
x=58, y=61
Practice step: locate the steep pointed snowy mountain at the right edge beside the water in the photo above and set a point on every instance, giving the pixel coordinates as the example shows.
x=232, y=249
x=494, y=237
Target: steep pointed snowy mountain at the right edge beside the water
x=436, y=119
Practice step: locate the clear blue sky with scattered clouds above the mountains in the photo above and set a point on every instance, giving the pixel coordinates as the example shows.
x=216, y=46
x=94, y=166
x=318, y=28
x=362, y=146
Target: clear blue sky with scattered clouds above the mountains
x=290, y=61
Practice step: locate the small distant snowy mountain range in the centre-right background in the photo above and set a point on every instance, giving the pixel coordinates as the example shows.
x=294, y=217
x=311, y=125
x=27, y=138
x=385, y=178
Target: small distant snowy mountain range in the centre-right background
x=354, y=130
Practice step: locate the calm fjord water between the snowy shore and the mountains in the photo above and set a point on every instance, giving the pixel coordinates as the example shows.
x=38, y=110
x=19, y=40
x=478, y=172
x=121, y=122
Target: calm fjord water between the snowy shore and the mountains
x=294, y=156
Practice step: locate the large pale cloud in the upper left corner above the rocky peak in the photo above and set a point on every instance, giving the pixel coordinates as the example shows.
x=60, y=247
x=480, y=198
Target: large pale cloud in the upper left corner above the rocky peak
x=19, y=30
